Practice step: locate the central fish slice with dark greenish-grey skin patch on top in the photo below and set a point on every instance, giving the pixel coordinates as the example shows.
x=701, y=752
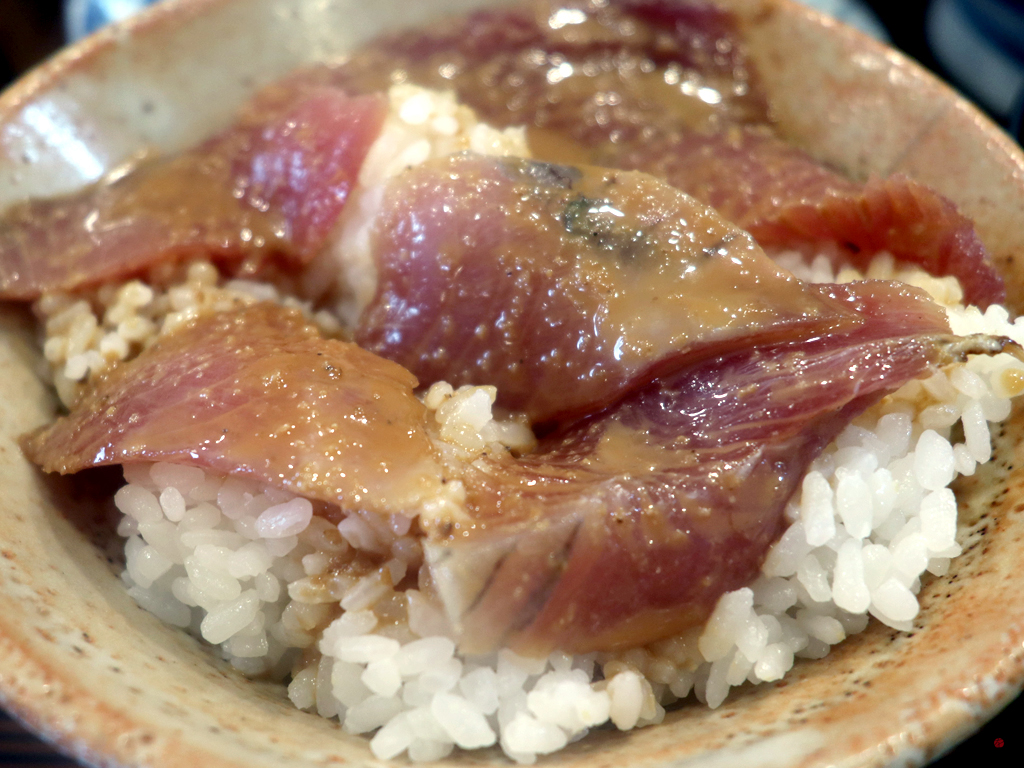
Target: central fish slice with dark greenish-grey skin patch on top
x=568, y=287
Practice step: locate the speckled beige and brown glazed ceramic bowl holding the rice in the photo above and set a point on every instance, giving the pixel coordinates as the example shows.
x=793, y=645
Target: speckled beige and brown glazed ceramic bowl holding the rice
x=111, y=686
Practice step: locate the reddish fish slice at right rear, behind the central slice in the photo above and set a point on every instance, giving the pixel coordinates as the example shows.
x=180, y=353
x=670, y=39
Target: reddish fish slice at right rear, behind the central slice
x=788, y=200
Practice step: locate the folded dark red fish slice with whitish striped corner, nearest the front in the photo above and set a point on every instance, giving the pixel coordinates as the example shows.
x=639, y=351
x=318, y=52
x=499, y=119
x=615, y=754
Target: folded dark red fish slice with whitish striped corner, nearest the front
x=629, y=528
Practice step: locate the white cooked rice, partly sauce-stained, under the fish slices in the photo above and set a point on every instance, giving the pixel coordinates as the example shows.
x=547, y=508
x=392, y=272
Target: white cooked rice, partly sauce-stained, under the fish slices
x=340, y=607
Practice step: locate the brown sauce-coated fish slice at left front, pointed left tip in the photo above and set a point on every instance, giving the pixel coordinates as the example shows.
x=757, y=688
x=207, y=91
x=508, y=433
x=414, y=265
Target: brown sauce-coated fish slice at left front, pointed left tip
x=259, y=393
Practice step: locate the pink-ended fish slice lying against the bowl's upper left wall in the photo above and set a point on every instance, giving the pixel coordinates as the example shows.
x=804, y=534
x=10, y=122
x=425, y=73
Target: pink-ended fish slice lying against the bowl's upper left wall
x=269, y=190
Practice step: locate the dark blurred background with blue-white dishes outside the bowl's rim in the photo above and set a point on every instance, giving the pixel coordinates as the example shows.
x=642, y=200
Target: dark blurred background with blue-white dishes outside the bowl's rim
x=976, y=46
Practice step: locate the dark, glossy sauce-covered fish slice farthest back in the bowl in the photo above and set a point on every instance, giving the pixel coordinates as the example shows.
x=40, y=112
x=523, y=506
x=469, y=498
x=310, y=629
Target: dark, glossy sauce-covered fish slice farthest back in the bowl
x=586, y=72
